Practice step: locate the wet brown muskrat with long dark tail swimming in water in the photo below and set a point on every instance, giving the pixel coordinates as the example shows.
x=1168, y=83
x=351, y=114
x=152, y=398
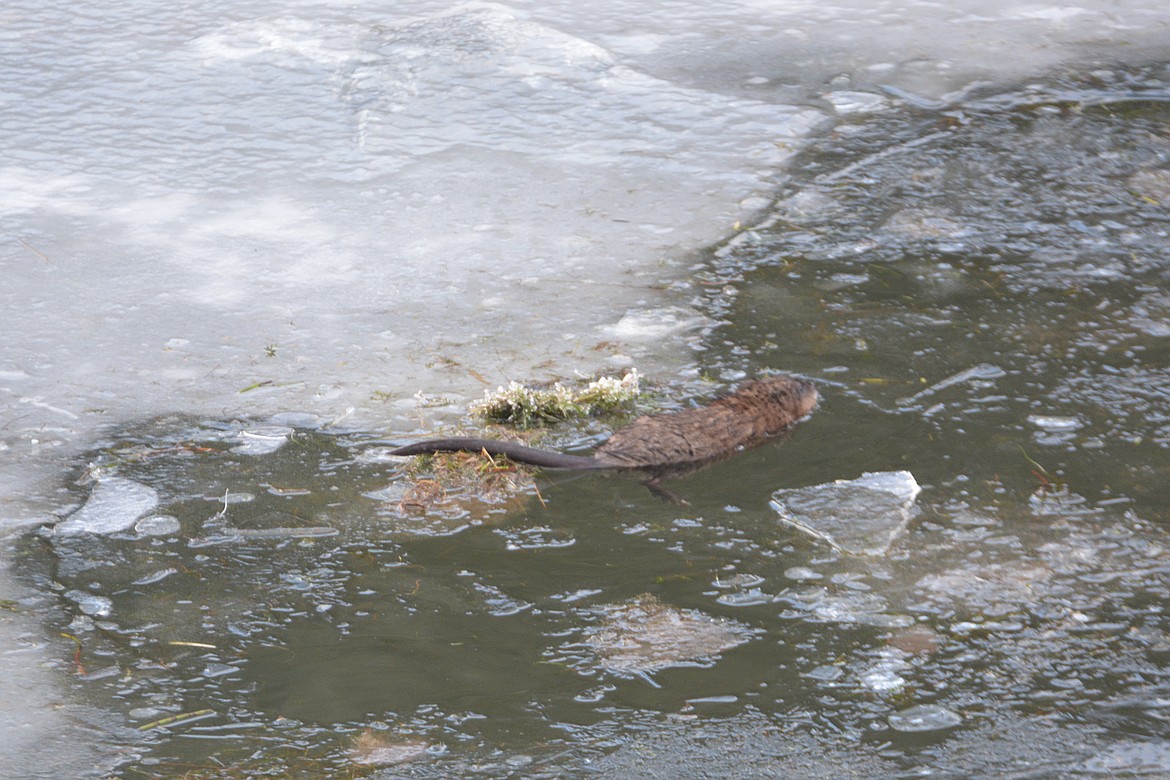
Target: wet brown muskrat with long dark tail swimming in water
x=667, y=445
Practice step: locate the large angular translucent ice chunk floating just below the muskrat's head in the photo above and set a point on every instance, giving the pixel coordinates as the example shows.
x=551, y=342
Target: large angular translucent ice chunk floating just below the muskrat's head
x=858, y=516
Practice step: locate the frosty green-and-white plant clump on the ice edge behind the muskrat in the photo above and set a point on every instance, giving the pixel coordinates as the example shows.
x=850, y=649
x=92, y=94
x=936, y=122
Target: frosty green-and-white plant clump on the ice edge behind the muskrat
x=524, y=406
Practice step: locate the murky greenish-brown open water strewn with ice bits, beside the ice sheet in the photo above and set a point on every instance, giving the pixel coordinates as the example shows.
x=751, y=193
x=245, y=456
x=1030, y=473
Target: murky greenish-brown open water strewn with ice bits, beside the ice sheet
x=980, y=293
